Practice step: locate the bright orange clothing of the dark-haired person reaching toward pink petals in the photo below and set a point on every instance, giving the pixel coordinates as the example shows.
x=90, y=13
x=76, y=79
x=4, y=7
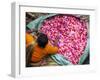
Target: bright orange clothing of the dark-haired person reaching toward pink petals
x=38, y=52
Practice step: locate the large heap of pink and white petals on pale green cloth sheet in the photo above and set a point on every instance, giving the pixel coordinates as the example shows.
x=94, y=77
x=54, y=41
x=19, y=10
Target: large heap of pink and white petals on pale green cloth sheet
x=71, y=33
